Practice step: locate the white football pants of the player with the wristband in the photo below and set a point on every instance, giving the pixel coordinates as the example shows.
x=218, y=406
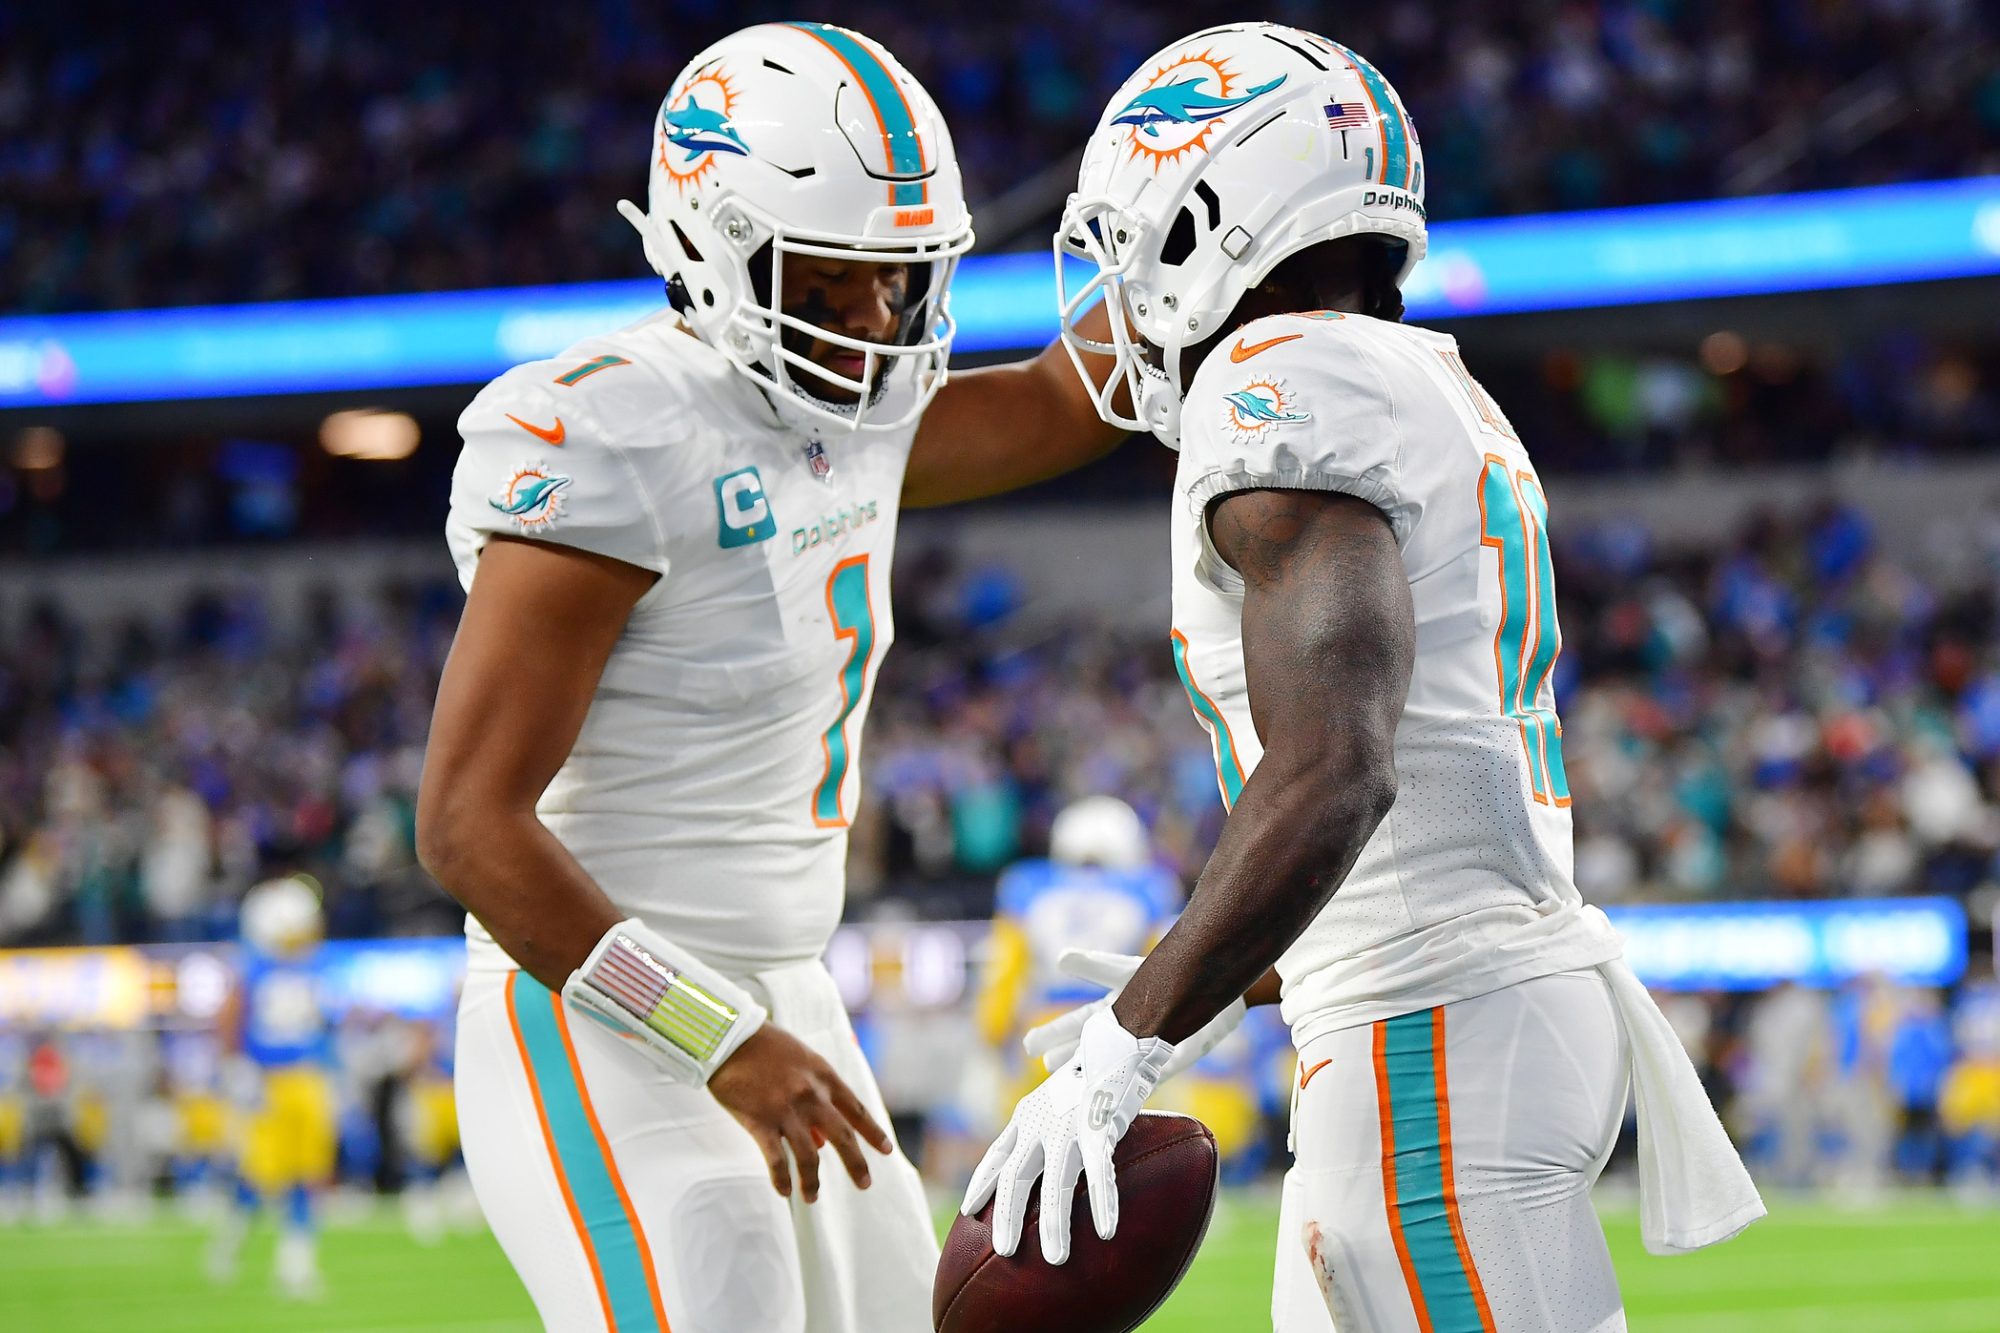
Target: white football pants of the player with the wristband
x=631, y=1202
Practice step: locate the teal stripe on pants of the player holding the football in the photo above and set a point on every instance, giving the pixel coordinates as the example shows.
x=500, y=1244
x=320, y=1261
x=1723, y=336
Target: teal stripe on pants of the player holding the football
x=1409, y=1064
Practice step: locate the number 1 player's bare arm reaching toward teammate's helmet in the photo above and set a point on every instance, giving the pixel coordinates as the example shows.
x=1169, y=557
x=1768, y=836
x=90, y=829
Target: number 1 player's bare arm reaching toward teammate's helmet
x=1005, y=427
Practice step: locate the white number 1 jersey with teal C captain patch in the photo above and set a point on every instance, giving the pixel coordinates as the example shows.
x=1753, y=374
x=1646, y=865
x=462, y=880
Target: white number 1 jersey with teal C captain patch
x=711, y=788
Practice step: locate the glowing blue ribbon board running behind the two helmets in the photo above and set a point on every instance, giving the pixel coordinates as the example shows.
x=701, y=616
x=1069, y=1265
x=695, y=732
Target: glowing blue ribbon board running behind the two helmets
x=1737, y=247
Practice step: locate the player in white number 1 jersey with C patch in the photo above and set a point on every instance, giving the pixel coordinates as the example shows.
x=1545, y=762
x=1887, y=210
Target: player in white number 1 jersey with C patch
x=643, y=764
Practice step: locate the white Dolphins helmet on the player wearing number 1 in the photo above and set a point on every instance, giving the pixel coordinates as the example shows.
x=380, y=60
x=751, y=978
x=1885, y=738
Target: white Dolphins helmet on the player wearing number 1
x=805, y=141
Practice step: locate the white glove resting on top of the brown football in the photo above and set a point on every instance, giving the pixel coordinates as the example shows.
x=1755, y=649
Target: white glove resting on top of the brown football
x=1065, y=1128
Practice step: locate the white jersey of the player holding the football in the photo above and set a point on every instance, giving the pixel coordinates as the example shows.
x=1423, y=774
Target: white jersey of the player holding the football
x=1467, y=886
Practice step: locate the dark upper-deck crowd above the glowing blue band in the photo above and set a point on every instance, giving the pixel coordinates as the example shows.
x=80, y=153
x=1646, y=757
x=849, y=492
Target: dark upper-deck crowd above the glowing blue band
x=343, y=149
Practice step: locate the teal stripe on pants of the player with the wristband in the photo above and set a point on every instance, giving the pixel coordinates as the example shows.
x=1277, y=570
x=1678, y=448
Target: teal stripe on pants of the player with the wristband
x=581, y=1160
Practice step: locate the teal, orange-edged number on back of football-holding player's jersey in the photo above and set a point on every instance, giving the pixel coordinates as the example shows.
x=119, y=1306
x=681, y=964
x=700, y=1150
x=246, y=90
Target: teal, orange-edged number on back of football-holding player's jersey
x=1515, y=523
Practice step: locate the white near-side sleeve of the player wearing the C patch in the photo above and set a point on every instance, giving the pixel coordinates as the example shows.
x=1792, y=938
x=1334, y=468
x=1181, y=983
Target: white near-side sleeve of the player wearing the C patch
x=537, y=463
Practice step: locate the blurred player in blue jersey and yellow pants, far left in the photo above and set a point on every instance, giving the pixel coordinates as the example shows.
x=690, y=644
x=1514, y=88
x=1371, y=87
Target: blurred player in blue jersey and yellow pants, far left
x=287, y=1138
